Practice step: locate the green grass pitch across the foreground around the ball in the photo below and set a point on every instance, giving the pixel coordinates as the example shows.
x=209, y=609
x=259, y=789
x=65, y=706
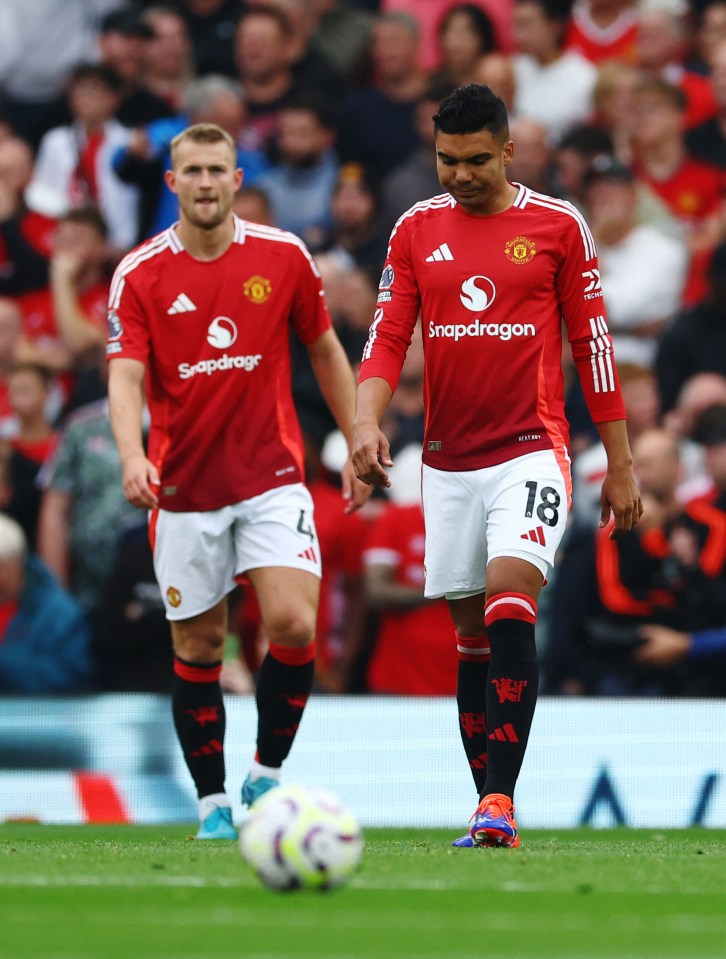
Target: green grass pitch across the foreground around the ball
x=140, y=892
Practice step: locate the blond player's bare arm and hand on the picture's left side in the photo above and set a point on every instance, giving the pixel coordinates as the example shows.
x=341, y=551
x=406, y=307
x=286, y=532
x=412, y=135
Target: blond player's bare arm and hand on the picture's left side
x=125, y=393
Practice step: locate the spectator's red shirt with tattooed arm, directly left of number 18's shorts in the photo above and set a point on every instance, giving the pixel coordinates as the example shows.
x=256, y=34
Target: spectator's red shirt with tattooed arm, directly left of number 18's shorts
x=415, y=649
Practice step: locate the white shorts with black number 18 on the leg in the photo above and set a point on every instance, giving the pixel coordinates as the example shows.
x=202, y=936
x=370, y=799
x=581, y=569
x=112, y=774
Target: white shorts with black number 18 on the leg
x=518, y=508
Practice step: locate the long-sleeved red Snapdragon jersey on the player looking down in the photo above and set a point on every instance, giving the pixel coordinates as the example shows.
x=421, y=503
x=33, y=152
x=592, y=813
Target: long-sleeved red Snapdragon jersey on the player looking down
x=493, y=292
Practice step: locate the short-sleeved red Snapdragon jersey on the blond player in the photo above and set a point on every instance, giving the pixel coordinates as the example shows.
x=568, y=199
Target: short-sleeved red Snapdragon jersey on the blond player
x=215, y=340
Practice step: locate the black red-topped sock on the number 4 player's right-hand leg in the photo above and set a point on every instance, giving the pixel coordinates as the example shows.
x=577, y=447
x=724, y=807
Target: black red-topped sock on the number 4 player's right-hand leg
x=283, y=688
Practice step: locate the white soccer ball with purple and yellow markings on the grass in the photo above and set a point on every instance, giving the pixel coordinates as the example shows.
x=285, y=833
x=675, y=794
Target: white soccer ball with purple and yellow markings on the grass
x=301, y=838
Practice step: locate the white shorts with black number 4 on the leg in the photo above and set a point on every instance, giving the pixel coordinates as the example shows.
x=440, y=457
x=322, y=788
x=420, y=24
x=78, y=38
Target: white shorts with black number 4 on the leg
x=198, y=555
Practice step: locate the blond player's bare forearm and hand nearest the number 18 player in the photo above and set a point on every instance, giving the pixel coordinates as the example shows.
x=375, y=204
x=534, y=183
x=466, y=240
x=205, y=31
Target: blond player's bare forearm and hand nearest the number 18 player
x=335, y=376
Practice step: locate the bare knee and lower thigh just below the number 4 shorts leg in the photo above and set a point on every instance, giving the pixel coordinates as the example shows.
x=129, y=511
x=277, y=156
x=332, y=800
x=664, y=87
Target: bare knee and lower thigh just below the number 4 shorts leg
x=288, y=600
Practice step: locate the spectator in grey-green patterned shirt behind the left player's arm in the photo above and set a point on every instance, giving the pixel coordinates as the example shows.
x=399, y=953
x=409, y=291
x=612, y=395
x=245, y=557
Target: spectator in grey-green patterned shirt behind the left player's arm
x=83, y=510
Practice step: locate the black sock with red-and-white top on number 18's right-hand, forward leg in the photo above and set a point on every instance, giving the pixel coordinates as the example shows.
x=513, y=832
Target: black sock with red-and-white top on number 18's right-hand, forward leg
x=511, y=688
